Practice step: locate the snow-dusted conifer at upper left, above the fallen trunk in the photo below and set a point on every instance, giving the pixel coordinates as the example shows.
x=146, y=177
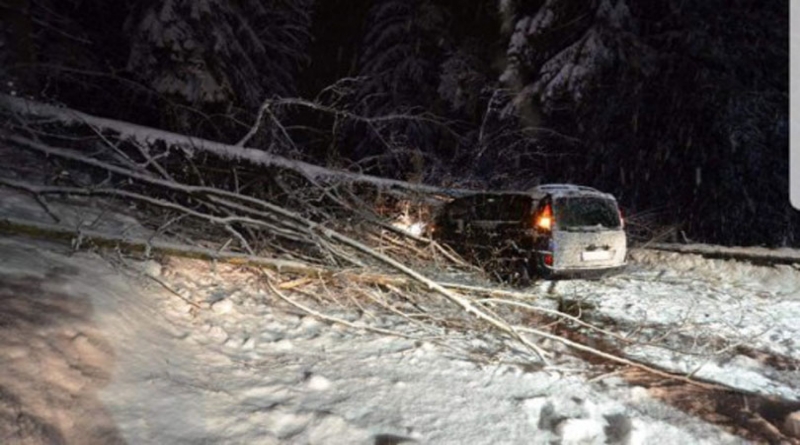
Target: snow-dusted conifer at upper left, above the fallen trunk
x=219, y=55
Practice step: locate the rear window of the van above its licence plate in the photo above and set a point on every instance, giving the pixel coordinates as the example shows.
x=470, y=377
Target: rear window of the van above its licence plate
x=585, y=212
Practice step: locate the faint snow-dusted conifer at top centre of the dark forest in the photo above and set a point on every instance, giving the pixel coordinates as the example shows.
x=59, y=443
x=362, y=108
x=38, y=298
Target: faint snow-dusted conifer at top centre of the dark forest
x=399, y=65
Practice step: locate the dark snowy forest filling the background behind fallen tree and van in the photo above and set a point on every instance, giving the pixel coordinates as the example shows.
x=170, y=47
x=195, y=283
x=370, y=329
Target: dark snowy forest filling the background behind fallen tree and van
x=678, y=108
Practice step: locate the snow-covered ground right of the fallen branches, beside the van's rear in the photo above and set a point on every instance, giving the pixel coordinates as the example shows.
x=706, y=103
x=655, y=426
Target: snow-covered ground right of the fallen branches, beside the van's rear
x=720, y=320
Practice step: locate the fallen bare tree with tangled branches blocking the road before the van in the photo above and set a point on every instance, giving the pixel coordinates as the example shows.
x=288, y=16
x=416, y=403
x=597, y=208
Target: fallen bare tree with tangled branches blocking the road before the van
x=339, y=239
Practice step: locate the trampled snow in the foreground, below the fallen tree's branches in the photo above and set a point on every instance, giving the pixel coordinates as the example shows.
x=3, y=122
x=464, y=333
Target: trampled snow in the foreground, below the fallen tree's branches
x=94, y=351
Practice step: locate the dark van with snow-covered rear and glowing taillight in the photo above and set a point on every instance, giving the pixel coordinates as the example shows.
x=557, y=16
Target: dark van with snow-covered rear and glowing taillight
x=550, y=230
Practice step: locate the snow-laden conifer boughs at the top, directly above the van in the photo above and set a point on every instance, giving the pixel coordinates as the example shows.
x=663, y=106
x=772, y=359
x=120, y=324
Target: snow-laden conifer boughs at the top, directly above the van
x=566, y=46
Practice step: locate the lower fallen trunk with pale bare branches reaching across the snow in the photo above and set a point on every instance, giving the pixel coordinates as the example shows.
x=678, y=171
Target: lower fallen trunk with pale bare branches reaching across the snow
x=83, y=238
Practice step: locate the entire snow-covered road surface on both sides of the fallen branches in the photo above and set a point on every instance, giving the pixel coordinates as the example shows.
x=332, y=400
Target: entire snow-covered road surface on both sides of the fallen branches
x=248, y=369
